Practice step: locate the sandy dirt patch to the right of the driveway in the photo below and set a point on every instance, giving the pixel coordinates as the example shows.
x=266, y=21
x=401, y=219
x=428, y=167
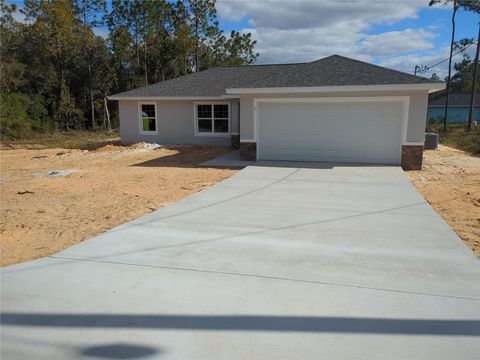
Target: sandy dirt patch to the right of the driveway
x=450, y=182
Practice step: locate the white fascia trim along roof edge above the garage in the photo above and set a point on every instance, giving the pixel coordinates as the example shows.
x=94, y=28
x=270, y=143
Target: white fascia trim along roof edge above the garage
x=431, y=87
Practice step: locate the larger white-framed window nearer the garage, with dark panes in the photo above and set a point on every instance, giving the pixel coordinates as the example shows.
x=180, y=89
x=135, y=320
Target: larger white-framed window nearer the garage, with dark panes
x=212, y=119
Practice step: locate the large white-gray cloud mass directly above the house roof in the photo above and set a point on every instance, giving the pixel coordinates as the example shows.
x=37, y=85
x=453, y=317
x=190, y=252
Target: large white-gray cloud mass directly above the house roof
x=305, y=30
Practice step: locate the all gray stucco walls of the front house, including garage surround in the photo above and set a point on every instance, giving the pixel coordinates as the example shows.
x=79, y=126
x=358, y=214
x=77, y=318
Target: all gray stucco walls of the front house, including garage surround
x=176, y=118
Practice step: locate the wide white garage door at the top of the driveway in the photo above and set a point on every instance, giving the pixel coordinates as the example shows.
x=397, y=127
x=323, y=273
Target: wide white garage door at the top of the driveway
x=349, y=132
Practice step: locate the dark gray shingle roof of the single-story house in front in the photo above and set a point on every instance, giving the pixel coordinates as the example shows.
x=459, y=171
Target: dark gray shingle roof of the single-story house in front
x=333, y=70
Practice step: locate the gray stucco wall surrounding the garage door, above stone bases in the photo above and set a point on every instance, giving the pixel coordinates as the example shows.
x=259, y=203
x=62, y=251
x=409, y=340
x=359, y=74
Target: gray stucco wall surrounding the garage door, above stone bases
x=416, y=121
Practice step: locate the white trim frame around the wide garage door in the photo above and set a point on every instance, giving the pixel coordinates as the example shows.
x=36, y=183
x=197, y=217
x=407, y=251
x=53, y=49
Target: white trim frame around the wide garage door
x=403, y=99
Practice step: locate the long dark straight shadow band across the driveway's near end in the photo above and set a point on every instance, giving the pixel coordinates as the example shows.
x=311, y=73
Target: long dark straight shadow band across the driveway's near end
x=248, y=323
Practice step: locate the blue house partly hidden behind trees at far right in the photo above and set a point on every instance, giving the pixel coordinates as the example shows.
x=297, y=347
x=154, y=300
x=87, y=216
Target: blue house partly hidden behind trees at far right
x=458, y=106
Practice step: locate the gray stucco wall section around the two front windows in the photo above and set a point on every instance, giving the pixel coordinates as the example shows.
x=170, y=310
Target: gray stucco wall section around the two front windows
x=175, y=123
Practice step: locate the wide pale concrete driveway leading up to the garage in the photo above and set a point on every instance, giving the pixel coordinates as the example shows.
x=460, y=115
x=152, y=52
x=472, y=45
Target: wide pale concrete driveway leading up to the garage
x=276, y=262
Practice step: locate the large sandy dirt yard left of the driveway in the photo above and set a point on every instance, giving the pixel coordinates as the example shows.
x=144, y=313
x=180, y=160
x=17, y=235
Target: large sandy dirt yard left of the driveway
x=54, y=198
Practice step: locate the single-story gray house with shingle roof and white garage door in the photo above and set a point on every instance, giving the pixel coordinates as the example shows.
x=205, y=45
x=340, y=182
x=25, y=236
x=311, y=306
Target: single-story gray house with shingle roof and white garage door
x=335, y=109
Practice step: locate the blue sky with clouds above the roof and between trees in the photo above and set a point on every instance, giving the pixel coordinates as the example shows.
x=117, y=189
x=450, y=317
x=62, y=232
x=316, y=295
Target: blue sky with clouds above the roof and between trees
x=394, y=33
